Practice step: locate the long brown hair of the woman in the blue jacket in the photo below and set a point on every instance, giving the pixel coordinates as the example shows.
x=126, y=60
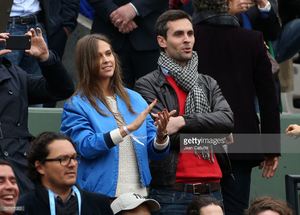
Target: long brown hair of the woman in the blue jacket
x=88, y=67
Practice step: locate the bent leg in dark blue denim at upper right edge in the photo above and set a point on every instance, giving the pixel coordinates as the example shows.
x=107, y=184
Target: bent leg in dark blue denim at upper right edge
x=288, y=43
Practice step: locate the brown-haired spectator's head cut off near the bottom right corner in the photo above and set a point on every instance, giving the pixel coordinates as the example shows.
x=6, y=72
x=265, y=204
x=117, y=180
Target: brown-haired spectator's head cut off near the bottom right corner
x=268, y=206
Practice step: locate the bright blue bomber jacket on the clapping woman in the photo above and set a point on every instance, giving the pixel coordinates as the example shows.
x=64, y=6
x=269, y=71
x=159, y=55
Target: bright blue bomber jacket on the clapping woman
x=98, y=168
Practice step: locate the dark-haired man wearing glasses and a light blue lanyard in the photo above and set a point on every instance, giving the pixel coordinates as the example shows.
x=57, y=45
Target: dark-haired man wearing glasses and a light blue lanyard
x=53, y=164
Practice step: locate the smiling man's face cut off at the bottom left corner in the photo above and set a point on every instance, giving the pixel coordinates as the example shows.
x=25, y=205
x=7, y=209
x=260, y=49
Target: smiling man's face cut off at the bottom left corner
x=9, y=190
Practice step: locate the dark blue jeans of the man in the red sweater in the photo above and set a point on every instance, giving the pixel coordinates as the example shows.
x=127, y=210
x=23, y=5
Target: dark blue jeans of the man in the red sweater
x=175, y=202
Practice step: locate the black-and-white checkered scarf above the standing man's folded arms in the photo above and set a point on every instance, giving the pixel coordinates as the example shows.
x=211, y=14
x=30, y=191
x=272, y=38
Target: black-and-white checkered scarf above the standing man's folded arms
x=187, y=78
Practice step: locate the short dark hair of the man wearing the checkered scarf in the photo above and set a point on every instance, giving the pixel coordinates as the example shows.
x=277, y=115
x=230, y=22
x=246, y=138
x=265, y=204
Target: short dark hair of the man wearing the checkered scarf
x=161, y=27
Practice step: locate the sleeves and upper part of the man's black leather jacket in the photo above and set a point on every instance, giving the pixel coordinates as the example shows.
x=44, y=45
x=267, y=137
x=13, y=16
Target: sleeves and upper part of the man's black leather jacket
x=220, y=120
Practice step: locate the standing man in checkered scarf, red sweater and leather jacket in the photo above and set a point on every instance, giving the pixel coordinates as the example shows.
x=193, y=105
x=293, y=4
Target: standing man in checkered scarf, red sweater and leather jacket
x=201, y=109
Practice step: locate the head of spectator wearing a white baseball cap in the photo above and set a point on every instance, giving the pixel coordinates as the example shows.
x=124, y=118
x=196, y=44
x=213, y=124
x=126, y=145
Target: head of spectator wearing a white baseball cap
x=132, y=203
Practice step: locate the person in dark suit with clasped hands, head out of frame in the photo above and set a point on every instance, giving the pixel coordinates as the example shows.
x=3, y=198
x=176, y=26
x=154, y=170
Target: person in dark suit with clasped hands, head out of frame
x=130, y=26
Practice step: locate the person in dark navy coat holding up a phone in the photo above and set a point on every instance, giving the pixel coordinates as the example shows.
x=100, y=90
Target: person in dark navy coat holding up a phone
x=19, y=89
